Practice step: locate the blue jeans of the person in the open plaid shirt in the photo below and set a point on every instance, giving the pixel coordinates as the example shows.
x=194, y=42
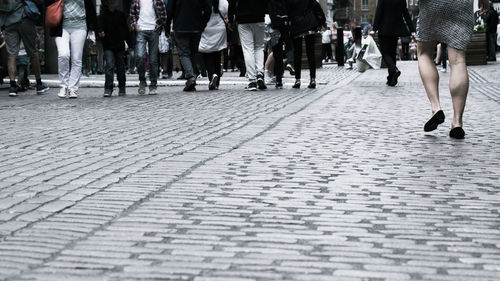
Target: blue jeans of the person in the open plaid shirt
x=149, y=39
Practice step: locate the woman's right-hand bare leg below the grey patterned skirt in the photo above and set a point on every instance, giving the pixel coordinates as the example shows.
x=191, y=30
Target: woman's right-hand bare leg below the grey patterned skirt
x=459, y=84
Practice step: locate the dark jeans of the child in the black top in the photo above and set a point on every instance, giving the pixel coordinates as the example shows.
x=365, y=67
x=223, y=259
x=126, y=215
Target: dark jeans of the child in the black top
x=114, y=59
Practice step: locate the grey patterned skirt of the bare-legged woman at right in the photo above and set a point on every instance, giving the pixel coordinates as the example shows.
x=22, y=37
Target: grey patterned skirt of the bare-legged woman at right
x=450, y=22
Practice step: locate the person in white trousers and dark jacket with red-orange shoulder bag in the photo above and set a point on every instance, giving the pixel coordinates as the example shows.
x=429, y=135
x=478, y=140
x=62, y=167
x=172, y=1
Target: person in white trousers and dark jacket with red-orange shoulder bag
x=70, y=34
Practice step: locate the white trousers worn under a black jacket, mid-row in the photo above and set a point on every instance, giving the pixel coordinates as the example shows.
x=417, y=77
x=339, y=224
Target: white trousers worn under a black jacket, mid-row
x=252, y=42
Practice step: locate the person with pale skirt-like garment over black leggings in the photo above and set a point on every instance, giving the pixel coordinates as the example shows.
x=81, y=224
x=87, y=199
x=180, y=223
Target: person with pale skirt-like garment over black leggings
x=214, y=41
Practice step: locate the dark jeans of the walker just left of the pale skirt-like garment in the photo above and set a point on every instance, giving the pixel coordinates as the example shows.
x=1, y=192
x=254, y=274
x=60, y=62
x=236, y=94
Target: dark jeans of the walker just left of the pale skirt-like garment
x=187, y=45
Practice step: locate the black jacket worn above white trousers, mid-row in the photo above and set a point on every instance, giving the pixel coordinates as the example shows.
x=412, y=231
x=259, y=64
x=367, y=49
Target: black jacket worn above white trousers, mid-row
x=247, y=11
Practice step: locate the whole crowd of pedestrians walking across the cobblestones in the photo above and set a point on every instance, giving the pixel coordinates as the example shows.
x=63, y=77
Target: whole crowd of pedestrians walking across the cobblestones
x=206, y=31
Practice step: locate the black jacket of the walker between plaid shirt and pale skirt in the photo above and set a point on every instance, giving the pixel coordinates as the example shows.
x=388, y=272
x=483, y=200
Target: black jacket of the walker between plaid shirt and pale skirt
x=188, y=15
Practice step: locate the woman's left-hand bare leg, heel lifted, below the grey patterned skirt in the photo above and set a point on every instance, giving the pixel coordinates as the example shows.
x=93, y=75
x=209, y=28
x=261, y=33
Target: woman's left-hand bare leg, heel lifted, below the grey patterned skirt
x=429, y=74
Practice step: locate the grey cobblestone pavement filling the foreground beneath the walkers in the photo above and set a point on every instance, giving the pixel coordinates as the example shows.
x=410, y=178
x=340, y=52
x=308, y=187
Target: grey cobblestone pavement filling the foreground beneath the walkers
x=339, y=183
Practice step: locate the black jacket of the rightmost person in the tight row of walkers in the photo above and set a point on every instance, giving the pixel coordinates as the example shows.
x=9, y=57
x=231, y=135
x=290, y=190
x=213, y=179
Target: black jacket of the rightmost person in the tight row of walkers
x=305, y=16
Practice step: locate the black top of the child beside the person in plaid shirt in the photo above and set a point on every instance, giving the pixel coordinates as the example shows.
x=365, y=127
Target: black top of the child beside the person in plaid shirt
x=115, y=27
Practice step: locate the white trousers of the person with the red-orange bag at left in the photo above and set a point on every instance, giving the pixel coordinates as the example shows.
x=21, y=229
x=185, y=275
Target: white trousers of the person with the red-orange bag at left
x=74, y=39
